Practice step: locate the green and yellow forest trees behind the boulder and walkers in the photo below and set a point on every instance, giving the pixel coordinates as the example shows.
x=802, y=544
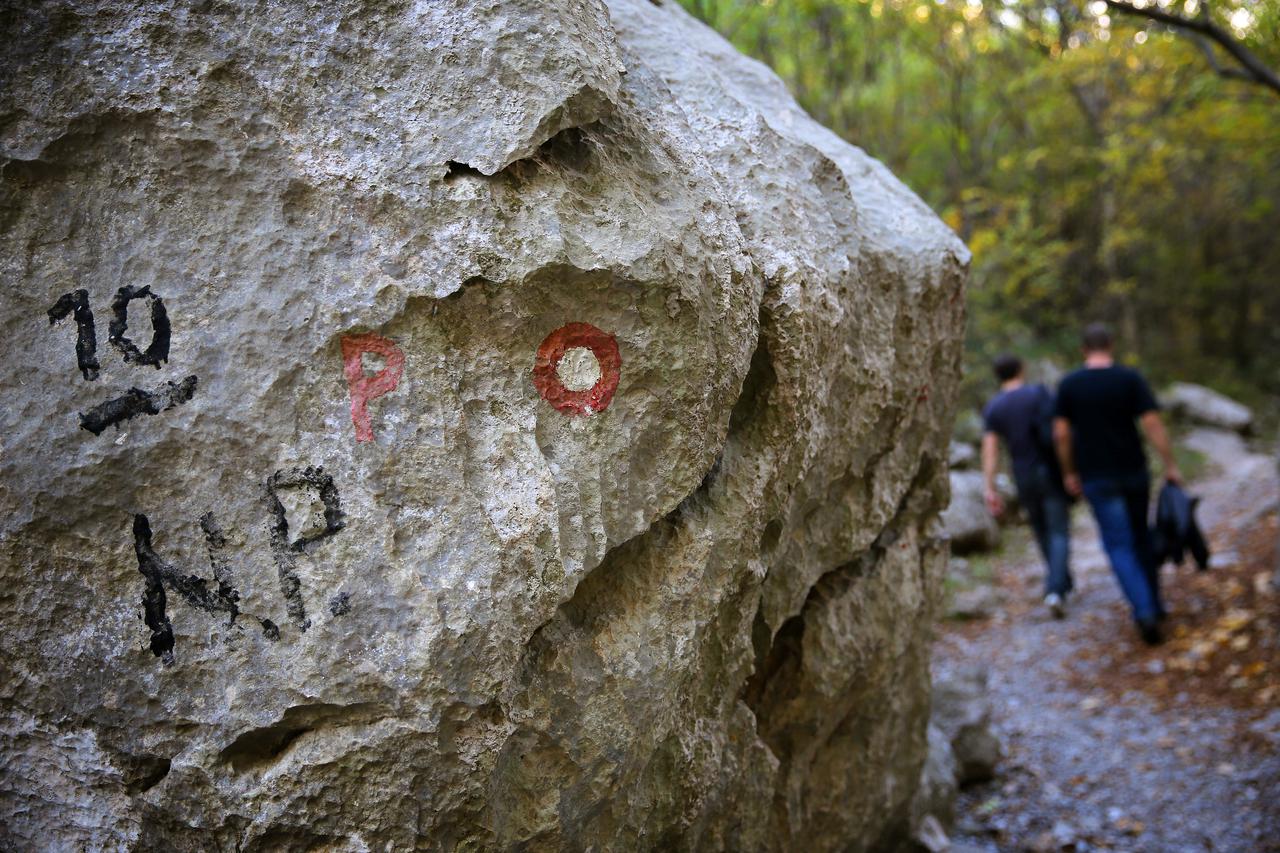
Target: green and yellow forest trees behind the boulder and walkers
x=1100, y=163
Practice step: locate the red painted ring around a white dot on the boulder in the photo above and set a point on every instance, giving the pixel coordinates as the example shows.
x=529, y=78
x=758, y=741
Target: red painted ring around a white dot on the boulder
x=547, y=370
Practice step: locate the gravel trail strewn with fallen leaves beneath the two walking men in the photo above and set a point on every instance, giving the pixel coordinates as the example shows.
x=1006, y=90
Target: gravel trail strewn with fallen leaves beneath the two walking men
x=1113, y=746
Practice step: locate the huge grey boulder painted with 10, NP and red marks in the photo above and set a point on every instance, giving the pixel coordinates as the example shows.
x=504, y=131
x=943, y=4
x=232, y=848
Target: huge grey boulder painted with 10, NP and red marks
x=456, y=426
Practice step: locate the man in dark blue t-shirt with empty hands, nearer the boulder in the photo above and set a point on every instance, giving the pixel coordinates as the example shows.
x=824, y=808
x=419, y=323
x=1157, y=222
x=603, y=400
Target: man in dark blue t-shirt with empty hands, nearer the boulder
x=1018, y=416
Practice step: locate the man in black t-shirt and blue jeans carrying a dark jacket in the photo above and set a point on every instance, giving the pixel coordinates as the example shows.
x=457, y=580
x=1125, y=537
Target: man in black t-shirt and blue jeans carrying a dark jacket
x=1103, y=458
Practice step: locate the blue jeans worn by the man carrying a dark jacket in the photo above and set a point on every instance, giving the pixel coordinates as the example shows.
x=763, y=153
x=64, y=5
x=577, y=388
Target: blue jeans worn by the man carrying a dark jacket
x=1121, y=509
